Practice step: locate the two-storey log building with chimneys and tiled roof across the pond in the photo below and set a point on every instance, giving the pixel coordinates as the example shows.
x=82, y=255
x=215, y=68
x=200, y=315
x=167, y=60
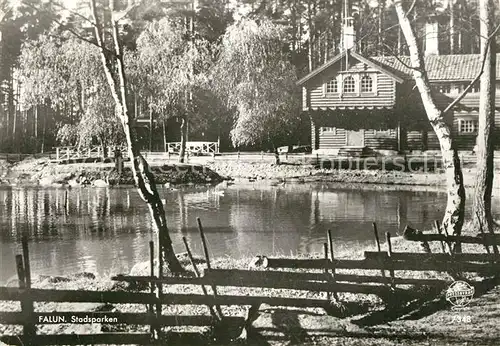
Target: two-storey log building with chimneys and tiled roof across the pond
x=358, y=104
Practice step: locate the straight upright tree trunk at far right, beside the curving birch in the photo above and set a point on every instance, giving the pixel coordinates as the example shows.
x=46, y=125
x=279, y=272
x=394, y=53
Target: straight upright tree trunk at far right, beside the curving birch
x=484, y=176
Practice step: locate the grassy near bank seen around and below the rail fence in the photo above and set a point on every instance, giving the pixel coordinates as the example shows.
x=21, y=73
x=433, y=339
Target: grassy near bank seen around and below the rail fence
x=479, y=323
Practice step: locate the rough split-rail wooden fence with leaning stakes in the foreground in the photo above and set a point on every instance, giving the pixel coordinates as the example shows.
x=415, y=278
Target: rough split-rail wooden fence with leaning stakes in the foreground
x=325, y=281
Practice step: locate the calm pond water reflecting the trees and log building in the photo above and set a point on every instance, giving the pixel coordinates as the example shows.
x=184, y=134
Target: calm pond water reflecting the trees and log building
x=107, y=230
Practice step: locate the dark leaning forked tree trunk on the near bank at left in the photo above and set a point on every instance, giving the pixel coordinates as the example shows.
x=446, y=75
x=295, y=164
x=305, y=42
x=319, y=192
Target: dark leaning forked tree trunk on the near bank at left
x=144, y=179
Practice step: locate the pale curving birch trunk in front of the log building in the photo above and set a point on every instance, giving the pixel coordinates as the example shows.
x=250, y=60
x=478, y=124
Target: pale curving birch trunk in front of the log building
x=454, y=215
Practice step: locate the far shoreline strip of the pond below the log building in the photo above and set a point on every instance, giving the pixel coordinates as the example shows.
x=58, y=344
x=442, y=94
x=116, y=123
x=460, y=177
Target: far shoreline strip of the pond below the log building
x=42, y=172
